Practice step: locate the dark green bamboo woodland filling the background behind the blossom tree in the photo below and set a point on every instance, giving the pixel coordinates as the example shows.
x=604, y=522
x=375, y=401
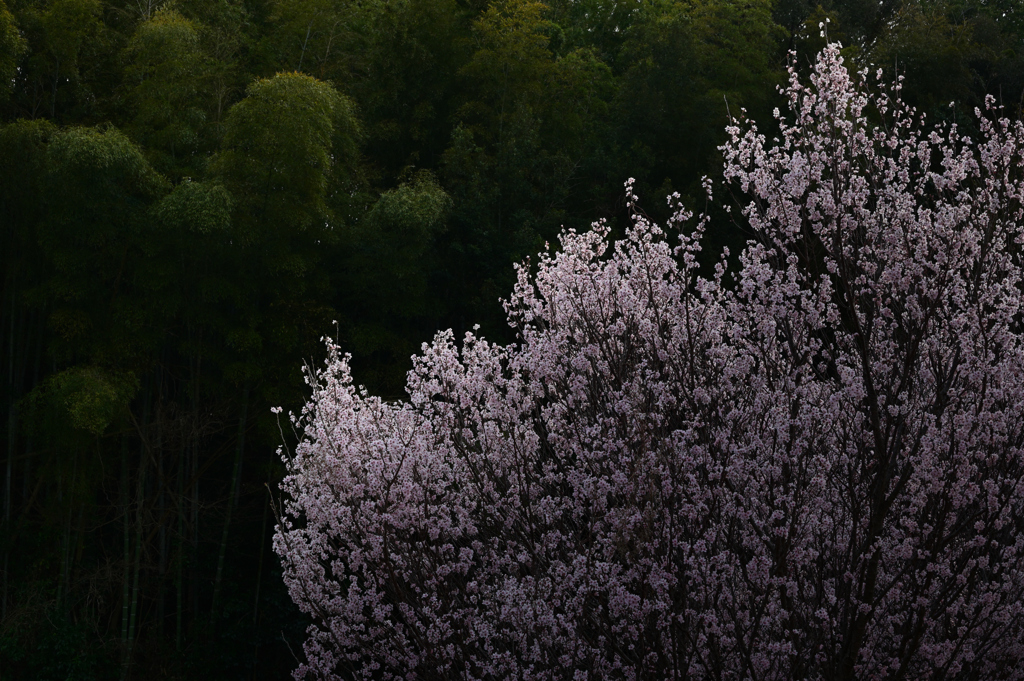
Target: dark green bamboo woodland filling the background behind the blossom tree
x=194, y=193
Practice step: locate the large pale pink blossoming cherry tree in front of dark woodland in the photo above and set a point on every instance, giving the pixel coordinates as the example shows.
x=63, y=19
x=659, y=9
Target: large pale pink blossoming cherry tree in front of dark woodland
x=810, y=466
